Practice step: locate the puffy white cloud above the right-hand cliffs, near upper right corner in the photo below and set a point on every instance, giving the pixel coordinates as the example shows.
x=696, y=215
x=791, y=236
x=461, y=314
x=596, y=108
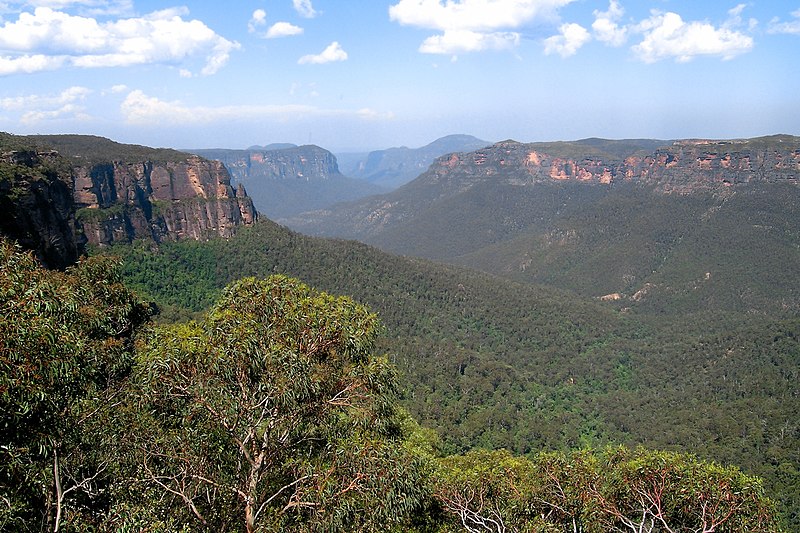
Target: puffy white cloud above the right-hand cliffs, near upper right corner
x=666, y=36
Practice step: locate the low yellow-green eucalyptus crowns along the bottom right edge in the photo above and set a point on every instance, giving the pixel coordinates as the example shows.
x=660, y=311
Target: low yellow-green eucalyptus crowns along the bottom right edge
x=618, y=489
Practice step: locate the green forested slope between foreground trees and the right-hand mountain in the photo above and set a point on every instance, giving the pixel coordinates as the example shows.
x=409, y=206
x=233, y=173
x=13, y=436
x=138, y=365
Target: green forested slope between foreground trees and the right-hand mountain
x=492, y=363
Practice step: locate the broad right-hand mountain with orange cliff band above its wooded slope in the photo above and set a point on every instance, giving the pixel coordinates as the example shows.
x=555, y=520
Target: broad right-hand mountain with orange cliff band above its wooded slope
x=617, y=219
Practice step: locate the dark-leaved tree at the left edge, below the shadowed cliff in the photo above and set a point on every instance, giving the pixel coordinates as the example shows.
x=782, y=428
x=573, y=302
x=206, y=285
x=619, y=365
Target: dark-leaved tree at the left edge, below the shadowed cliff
x=65, y=344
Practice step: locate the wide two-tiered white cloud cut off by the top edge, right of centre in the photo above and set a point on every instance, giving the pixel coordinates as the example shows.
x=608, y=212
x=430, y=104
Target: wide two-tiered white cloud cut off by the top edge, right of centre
x=471, y=25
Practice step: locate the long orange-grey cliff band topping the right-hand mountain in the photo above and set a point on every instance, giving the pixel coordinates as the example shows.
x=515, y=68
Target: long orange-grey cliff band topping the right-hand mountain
x=683, y=167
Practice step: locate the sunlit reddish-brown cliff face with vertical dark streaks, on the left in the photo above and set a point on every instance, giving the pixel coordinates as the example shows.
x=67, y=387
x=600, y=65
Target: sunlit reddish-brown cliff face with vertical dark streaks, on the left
x=162, y=201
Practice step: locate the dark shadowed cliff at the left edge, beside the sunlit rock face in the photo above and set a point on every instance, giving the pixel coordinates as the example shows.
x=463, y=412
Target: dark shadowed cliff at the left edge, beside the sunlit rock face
x=37, y=207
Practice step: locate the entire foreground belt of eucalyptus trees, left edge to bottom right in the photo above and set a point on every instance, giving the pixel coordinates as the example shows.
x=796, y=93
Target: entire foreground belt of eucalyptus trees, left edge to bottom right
x=273, y=411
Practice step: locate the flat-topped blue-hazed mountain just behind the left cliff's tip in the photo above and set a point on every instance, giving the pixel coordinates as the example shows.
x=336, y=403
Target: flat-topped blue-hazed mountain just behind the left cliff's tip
x=290, y=179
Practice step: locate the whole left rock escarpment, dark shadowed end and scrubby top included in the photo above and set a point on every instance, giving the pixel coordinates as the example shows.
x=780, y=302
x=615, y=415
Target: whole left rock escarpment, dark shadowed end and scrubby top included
x=58, y=193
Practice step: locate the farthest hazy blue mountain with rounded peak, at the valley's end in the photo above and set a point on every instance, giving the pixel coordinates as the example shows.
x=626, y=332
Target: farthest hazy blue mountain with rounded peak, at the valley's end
x=394, y=167
